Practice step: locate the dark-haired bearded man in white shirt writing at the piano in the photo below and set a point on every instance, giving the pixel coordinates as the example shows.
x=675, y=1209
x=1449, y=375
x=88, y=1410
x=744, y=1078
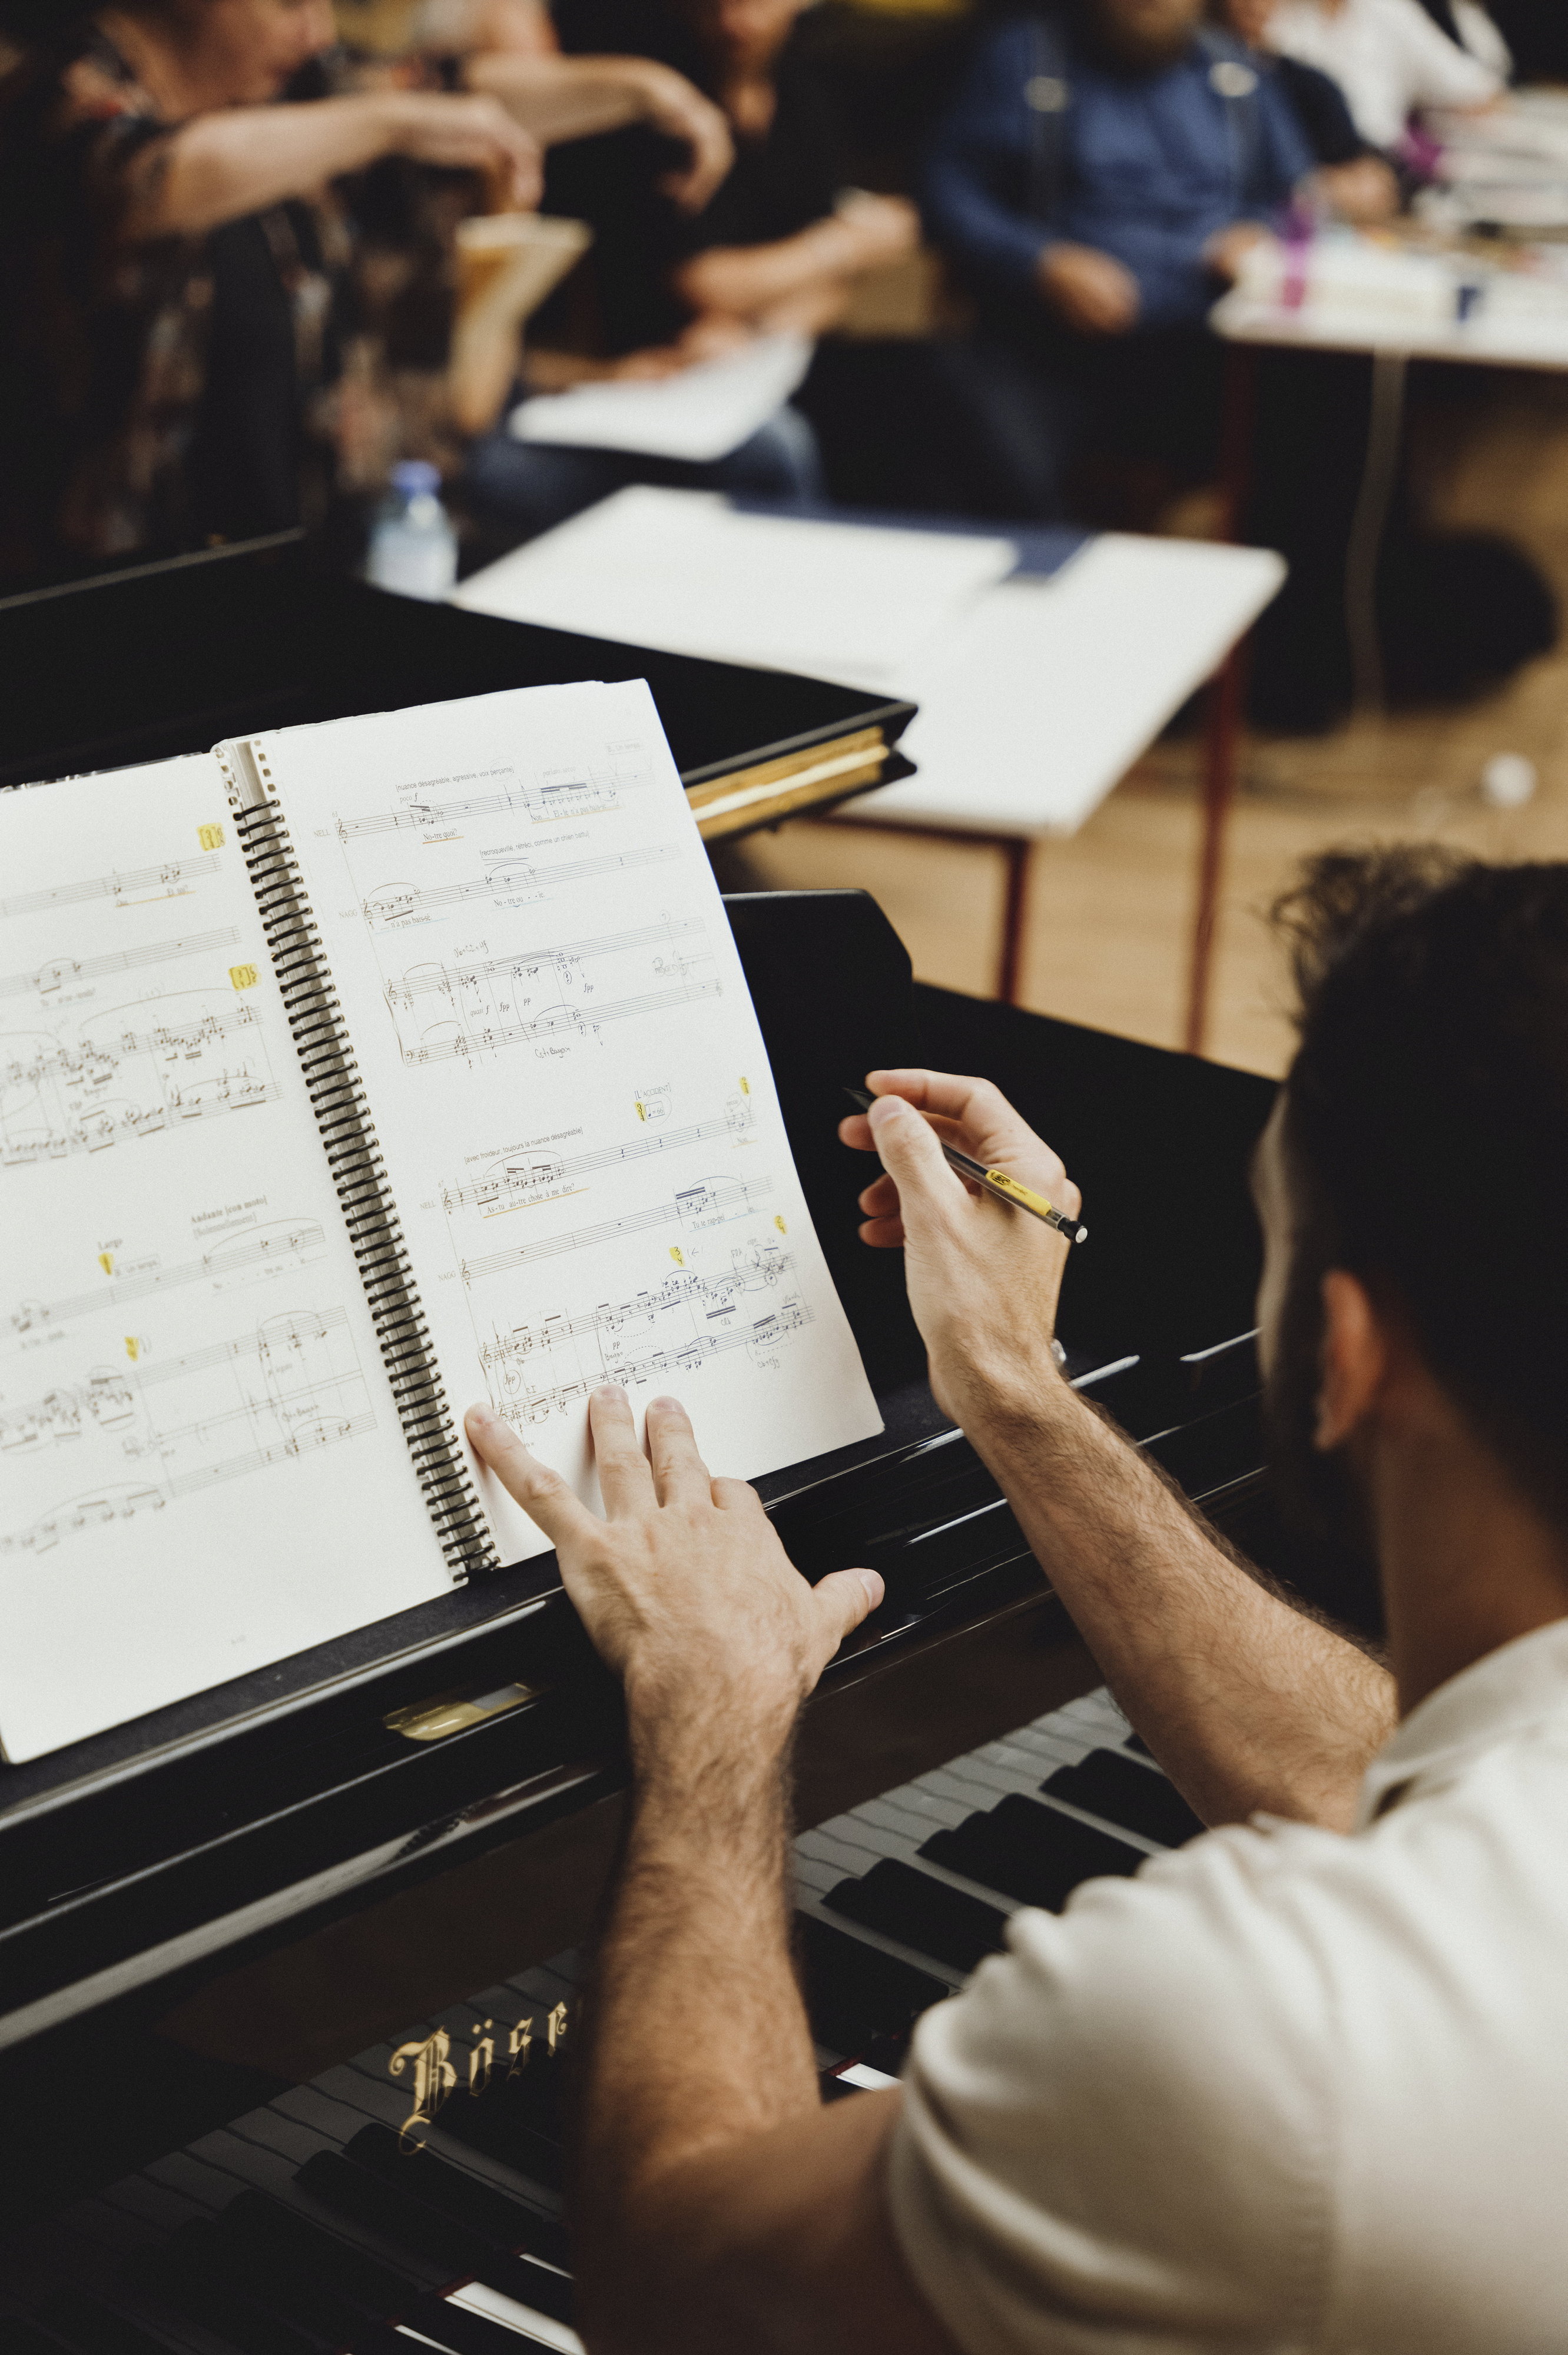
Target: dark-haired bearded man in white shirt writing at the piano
x=1303, y=2083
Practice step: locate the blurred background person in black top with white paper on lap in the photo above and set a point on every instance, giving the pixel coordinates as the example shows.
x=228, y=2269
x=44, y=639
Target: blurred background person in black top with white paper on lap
x=778, y=248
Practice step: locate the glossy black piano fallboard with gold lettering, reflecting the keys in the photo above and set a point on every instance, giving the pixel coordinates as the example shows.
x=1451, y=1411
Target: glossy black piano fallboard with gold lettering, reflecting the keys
x=413, y=2194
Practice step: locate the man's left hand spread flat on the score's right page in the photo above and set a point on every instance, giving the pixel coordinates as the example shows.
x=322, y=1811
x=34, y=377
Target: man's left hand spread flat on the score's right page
x=684, y=1586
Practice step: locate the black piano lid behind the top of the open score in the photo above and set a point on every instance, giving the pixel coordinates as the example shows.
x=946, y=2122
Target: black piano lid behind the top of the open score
x=175, y=658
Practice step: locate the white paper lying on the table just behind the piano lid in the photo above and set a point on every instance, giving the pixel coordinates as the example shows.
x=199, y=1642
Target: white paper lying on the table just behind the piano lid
x=679, y=569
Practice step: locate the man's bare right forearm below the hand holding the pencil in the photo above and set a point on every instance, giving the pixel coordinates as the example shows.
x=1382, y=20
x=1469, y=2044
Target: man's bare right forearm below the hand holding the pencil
x=1247, y=1701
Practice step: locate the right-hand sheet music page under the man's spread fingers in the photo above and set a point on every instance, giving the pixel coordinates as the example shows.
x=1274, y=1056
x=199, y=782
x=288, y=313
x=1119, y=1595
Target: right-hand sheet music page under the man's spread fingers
x=569, y=1080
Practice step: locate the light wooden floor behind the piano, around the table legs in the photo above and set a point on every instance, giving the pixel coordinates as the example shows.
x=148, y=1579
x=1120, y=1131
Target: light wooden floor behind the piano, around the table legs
x=1110, y=910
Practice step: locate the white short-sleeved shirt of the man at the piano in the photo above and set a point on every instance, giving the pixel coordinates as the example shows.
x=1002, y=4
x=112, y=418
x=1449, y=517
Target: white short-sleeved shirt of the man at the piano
x=1287, y=2090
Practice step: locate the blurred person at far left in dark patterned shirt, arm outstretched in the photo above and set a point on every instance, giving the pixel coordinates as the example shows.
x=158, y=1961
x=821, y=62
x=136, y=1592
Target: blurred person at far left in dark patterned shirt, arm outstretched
x=171, y=319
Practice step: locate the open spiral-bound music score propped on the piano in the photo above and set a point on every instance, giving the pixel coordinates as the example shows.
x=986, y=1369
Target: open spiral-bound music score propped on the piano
x=352, y=1075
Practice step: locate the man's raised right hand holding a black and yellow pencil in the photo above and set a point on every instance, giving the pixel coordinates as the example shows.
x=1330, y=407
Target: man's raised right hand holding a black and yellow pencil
x=983, y=1278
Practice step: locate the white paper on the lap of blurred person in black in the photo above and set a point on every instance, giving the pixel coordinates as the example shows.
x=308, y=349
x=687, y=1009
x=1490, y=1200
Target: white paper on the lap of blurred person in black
x=700, y=416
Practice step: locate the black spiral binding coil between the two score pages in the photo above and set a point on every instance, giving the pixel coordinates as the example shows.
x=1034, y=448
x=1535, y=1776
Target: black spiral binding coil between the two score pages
x=359, y=1172
